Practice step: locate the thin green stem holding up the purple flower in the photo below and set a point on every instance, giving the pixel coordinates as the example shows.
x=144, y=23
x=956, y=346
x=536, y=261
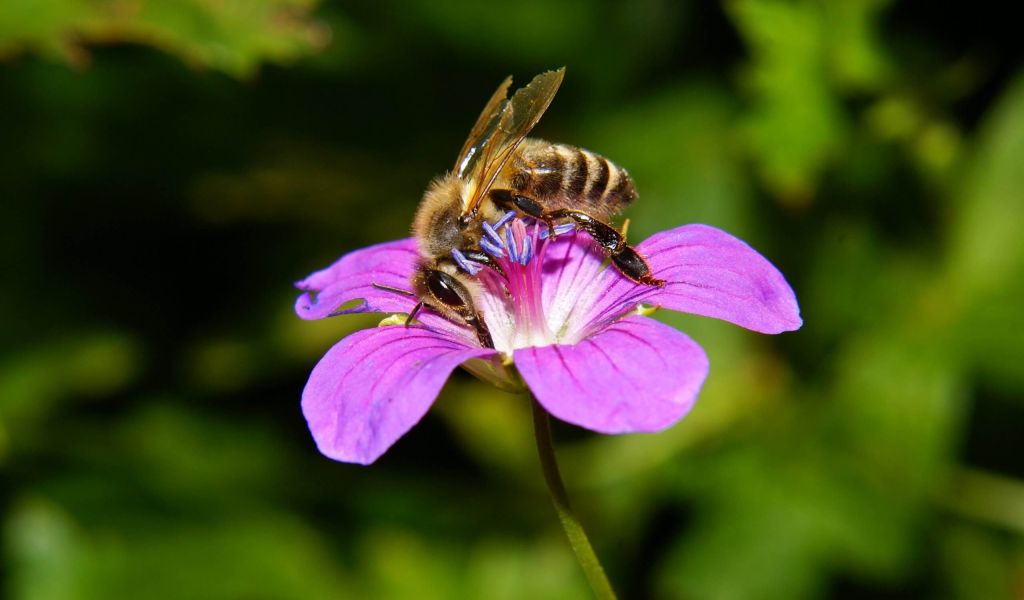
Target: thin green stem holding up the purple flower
x=574, y=531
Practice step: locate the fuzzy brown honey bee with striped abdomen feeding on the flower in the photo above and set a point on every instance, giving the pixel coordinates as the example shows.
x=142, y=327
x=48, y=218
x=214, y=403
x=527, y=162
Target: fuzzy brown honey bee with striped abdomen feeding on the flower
x=499, y=169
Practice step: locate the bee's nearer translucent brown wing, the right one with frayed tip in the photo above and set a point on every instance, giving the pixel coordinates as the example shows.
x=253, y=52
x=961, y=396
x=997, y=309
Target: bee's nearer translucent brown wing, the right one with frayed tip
x=515, y=122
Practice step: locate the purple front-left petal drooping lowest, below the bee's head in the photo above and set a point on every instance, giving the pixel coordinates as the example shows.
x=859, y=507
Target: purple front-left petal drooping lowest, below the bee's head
x=375, y=385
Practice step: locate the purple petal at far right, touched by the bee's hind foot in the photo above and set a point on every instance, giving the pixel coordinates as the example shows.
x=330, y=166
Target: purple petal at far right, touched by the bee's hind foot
x=711, y=273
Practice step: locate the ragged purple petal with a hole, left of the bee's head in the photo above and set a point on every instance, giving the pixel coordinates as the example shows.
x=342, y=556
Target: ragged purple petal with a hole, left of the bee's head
x=352, y=278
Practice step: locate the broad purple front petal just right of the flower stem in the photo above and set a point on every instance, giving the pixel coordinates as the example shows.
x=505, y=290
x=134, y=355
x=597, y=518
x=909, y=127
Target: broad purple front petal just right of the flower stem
x=637, y=375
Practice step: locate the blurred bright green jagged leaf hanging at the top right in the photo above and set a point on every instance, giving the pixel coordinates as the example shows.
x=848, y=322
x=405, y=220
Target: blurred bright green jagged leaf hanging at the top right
x=806, y=54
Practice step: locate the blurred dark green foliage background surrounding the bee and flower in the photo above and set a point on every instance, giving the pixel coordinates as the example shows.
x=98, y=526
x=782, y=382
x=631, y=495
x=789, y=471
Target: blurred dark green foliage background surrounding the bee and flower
x=169, y=167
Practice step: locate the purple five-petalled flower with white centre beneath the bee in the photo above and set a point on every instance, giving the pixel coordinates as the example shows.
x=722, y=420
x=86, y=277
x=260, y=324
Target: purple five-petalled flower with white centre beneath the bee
x=573, y=328
